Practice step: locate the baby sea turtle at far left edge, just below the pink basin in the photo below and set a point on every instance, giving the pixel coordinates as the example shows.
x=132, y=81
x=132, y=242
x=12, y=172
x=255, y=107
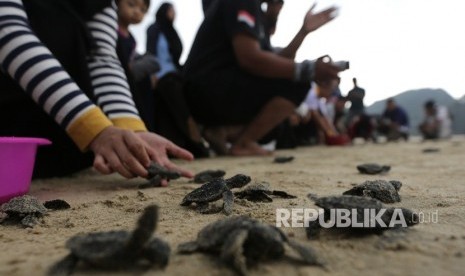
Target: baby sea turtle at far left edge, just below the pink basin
x=26, y=209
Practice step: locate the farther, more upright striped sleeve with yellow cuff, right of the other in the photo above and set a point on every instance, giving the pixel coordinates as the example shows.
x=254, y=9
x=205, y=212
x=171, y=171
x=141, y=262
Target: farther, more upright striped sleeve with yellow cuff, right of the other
x=111, y=88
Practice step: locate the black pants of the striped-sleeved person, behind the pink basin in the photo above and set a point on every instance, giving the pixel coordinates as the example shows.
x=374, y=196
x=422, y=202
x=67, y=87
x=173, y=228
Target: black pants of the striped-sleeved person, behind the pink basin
x=23, y=118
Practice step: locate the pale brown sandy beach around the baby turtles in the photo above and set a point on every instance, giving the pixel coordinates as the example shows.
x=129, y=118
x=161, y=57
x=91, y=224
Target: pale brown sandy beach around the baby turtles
x=433, y=183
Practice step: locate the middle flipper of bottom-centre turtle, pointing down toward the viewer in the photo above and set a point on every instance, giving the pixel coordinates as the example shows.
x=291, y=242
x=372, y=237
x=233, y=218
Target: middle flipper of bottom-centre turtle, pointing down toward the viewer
x=232, y=251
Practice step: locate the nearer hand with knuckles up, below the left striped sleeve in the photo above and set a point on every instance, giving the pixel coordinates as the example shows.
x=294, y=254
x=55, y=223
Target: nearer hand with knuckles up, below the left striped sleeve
x=122, y=151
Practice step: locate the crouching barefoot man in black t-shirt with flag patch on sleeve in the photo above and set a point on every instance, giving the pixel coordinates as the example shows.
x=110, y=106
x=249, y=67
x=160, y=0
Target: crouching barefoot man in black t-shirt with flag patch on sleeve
x=236, y=86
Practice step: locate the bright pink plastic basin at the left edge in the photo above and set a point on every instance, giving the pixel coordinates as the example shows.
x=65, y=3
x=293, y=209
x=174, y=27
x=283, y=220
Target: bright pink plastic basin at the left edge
x=17, y=157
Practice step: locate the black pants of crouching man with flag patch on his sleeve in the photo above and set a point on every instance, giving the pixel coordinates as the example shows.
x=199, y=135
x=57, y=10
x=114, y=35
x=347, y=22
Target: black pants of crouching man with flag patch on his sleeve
x=233, y=97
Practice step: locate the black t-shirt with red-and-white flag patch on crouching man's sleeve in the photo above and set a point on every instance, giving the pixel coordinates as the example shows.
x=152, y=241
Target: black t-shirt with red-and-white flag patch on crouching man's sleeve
x=212, y=49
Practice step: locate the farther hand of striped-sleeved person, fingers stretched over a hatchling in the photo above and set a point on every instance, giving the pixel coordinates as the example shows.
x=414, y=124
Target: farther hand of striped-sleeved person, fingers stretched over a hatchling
x=160, y=147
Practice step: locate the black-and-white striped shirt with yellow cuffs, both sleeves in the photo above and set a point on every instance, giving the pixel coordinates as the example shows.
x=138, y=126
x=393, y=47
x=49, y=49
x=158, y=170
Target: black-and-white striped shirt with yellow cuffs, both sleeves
x=42, y=77
